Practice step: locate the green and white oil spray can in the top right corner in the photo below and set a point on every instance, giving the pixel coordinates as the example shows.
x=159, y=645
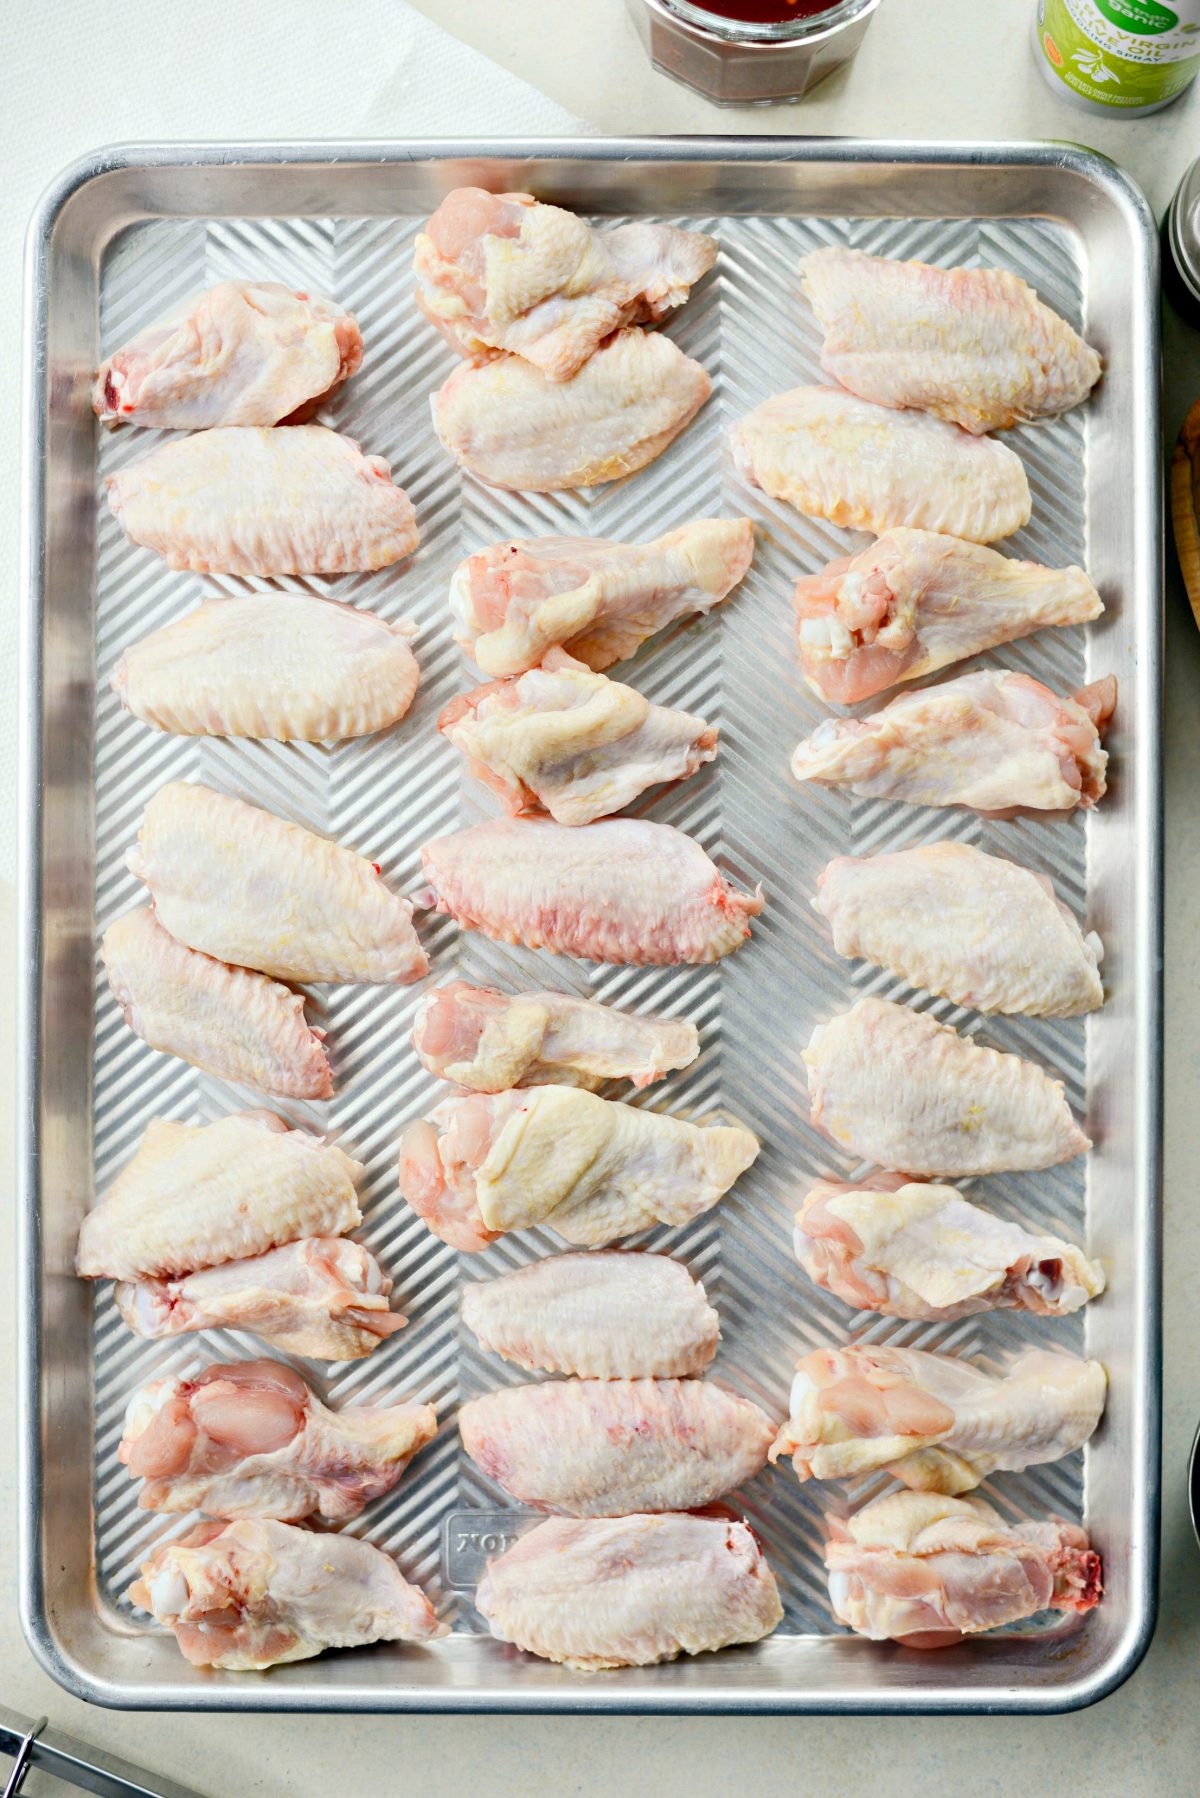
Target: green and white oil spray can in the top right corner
x=1127, y=57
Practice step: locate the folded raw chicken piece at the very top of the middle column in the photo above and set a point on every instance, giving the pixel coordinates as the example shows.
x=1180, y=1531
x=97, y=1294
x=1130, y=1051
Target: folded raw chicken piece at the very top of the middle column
x=503, y=272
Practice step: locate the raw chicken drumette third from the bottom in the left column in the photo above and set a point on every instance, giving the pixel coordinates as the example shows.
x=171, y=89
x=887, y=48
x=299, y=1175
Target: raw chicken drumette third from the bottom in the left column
x=323, y=1297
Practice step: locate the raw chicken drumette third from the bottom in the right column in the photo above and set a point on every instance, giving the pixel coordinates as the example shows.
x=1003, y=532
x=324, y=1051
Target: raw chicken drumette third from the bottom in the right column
x=911, y=1251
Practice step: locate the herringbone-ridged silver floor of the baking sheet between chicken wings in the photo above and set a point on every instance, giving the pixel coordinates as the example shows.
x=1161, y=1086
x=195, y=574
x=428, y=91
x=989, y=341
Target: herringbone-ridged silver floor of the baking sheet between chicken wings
x=388, y=796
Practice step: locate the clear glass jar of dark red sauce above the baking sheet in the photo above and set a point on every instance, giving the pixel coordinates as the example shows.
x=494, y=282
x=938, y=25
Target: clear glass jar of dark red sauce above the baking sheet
x=735, y=64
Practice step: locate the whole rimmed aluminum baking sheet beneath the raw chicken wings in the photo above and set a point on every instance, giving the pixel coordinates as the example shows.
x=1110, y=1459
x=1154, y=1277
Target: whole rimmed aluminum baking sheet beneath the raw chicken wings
x=116, y=244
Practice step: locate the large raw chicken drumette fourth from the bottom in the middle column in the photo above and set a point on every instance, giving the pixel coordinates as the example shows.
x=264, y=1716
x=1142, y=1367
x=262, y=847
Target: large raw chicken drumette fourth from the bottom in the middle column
x=589, y=1168
